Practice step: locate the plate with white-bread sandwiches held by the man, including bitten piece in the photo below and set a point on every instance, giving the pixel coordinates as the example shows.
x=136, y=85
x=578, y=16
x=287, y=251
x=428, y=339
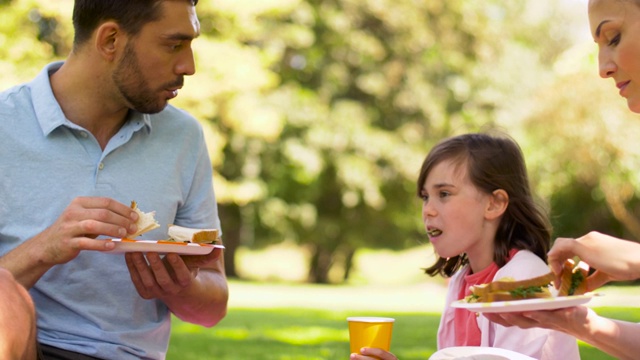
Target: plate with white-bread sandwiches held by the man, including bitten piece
x=181, y=240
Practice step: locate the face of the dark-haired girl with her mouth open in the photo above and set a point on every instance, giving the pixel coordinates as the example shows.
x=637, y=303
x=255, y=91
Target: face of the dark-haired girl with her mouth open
x=454, y=215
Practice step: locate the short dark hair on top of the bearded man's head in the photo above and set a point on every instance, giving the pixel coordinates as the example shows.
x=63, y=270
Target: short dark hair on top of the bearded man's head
x=131, y=15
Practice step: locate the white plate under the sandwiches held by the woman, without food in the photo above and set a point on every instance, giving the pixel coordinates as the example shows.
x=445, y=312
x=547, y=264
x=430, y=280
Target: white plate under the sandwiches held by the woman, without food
x=525, y=305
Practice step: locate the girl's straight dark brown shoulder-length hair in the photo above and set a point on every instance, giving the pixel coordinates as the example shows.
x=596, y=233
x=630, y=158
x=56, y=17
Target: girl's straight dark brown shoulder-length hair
x=494, y=162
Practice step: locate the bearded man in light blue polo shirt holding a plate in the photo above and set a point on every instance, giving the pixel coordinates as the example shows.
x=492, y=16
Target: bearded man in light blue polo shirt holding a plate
x=81, y=141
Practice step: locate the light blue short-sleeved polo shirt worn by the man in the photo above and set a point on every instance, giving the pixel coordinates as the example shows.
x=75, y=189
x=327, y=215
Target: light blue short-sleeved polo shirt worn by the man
x=89, y=304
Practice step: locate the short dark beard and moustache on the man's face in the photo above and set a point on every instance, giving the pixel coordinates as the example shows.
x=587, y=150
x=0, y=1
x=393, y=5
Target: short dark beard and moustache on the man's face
x=132, y=85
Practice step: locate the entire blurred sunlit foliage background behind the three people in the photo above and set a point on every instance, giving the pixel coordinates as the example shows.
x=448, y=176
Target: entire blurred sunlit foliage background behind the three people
x=318, y=114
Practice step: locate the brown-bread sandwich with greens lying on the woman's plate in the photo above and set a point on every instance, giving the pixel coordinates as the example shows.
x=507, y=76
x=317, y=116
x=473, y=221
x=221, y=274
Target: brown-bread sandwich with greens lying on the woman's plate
x=507, y=289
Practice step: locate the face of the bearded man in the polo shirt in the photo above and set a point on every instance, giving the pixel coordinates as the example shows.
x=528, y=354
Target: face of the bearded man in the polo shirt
x=154, y=62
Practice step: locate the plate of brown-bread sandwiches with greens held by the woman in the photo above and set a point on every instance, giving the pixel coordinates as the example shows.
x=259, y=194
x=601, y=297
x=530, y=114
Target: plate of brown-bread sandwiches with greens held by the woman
x=507, y=295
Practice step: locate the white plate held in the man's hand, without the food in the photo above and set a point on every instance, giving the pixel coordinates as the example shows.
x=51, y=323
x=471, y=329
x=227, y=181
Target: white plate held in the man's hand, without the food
x=162, y=247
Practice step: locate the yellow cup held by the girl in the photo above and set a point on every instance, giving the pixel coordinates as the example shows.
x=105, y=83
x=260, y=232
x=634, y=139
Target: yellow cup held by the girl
x=369, y=332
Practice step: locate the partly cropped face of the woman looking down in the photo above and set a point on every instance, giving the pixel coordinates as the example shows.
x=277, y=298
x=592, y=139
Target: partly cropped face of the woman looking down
x=615, y=27
